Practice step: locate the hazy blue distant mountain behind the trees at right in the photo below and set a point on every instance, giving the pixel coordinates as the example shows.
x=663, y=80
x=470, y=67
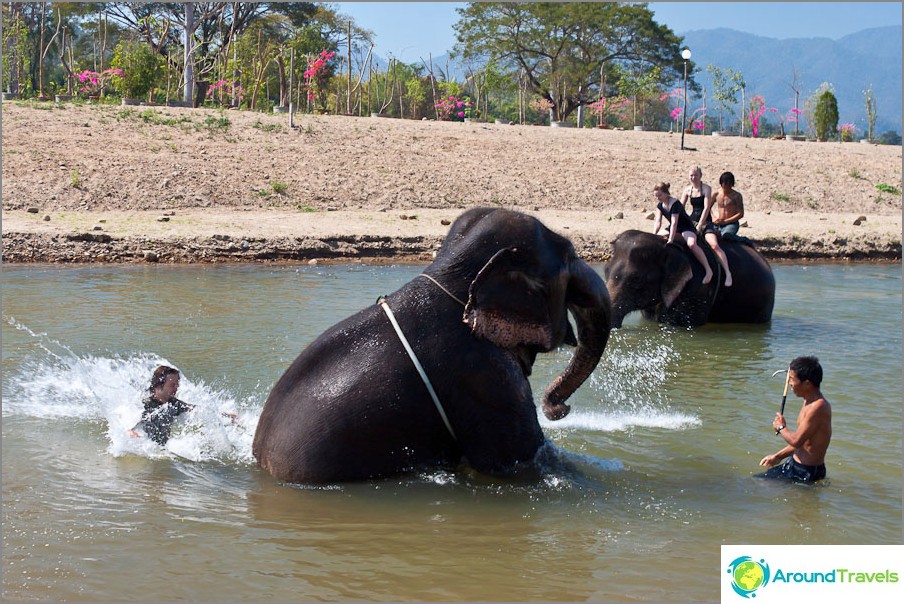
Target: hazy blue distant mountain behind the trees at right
x=851, y=64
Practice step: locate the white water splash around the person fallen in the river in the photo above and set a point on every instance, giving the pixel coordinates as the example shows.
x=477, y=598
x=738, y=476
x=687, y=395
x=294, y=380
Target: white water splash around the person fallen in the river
x=60, y=384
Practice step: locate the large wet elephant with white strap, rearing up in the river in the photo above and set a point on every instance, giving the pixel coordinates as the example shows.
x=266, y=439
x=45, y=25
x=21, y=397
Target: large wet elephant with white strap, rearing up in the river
x=357, y=405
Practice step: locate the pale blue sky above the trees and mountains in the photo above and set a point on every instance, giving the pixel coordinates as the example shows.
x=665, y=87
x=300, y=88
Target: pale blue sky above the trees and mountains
x=411, y=30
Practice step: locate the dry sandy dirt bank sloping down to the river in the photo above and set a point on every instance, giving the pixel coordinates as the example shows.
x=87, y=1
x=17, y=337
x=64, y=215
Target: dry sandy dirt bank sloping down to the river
x=106, y=183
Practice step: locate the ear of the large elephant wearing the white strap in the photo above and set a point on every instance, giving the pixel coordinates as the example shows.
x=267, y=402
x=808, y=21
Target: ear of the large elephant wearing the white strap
x=507, y=305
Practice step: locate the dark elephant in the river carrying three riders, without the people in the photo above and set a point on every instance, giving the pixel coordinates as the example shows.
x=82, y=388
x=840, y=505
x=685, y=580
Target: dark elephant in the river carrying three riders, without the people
x=665, y=282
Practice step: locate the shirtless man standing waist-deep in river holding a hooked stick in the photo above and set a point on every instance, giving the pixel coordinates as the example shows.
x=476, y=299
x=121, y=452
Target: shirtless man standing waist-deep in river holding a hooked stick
x=806, y=446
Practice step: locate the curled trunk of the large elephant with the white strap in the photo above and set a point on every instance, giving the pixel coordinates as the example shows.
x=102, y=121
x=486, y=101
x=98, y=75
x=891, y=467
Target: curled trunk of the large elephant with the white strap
x=593, y=324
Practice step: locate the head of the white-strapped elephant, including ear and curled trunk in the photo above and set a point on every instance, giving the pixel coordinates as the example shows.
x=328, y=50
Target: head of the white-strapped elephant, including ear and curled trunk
x=519, y=297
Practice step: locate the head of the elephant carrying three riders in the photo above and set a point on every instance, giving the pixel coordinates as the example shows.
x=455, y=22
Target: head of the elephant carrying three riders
x=647, y=274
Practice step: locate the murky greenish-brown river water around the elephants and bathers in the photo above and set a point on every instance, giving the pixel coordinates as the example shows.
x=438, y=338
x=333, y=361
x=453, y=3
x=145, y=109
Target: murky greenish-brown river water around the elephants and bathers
x=660, y=448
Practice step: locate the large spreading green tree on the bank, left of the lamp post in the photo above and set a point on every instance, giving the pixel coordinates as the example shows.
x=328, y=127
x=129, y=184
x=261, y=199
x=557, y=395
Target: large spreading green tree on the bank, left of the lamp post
x=561, y=48
